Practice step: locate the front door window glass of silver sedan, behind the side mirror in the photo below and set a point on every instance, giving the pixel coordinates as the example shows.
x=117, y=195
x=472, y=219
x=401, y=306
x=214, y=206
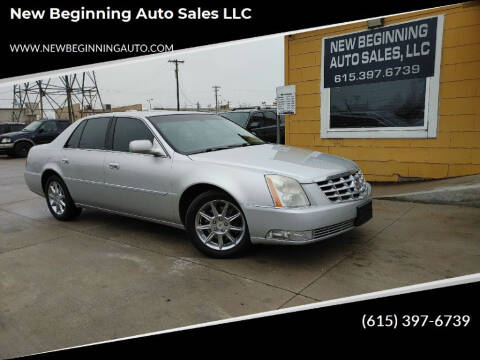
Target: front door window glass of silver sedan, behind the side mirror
x=129, y=129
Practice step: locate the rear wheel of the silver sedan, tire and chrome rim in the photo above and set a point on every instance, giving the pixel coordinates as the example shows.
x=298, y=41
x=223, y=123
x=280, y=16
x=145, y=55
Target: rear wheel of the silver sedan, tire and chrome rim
x=59, y=201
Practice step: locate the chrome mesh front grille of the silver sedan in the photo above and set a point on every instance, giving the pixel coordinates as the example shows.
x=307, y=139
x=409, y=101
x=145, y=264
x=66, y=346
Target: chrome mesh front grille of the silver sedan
x=344, y=187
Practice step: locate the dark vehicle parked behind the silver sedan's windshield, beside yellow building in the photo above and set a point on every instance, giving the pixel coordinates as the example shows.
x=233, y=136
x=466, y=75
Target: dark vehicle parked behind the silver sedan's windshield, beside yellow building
x=261, y=122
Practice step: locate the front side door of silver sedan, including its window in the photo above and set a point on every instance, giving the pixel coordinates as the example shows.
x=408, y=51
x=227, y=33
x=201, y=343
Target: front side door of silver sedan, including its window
x=137, y=184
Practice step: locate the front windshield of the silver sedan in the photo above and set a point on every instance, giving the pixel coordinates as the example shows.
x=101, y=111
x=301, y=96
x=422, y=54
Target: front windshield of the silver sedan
x=195, y=133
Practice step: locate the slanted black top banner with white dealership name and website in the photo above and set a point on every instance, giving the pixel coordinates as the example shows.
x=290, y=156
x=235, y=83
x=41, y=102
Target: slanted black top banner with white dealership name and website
x=47, y=36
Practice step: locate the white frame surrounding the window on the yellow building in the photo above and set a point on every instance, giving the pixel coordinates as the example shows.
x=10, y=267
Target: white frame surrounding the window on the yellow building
x=430, y=127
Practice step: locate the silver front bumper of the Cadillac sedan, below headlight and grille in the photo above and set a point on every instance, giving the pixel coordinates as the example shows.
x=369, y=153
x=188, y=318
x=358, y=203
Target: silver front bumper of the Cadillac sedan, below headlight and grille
x=323, y=221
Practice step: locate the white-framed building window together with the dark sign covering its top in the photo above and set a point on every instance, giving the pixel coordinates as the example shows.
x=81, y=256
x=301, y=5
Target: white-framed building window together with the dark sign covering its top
x=382, y=82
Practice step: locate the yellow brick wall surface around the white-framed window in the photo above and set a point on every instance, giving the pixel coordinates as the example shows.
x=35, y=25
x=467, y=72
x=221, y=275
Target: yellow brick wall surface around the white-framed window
x=455, y=151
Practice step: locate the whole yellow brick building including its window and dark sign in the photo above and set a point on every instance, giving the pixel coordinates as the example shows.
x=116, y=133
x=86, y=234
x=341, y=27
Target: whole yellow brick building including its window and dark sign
x=404, y=128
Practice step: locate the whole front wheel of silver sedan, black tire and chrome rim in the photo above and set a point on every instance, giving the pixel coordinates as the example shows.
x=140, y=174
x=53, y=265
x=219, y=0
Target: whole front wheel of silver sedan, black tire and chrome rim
x=217, y=225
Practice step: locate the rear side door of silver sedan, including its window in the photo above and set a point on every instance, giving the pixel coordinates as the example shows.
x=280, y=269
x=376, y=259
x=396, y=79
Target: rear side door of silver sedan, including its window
x=82, y=161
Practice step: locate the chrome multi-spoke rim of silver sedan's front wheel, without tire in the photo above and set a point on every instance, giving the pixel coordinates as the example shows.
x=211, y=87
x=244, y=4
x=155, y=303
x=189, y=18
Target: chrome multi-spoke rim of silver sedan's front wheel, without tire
x=220, y=224
